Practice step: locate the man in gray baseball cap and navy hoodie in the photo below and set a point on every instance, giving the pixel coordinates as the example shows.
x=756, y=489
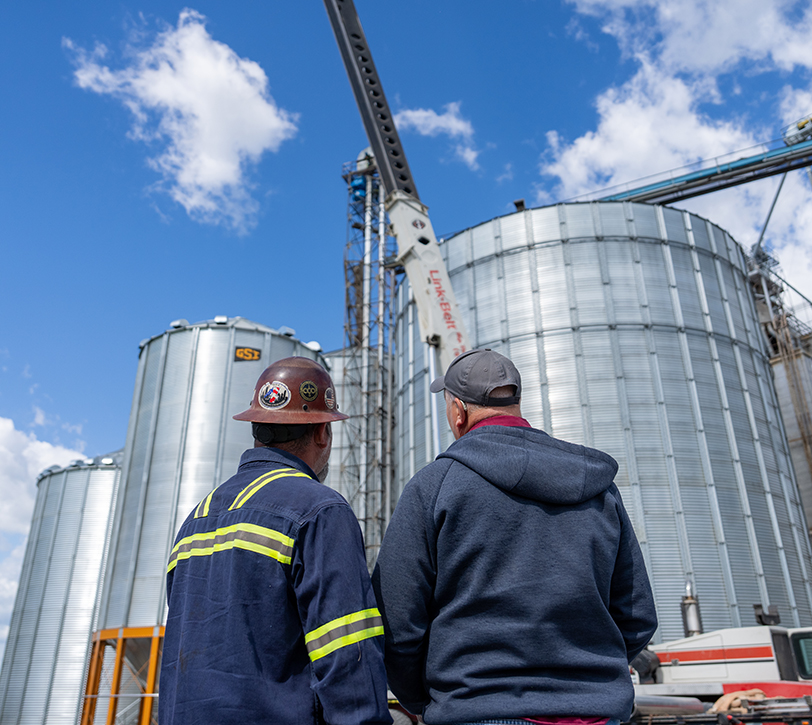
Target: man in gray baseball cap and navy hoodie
x=510, y=580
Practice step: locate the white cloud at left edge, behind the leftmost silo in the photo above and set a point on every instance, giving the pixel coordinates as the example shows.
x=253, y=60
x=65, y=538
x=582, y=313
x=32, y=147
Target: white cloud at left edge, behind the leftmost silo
x=22, y=458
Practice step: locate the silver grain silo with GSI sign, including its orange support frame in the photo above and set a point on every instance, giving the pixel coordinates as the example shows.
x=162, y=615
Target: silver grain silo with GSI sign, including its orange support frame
x=181, y=443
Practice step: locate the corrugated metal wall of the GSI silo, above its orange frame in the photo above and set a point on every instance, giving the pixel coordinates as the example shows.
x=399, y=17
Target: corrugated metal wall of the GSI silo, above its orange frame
x=181, y=443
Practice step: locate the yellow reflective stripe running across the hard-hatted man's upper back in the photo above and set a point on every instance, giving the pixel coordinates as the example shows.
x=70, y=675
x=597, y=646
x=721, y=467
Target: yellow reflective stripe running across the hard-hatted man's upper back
x=249, y=537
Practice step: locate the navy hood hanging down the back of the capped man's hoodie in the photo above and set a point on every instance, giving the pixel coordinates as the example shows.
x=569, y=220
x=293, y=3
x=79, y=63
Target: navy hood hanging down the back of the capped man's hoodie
x=528, y=463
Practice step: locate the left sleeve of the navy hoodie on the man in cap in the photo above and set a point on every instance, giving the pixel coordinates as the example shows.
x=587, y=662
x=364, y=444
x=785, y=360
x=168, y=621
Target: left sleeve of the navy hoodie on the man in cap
x=404, y=581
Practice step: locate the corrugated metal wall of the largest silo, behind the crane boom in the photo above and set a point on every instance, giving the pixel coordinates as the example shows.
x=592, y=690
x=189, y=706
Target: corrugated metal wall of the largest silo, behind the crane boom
x=635, y=332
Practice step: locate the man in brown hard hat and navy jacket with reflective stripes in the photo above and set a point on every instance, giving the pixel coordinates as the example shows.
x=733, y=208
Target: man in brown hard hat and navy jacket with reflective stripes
x=272, y=618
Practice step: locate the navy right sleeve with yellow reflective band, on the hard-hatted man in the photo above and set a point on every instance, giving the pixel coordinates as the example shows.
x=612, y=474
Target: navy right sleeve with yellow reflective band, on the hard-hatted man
x=342, y=625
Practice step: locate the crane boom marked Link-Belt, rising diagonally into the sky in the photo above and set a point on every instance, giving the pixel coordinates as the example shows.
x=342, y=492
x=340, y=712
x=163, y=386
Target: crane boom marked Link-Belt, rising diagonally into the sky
x=440, y=322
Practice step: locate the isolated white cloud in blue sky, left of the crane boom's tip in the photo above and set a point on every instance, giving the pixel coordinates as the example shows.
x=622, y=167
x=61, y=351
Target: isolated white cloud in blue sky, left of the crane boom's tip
x=210, y=108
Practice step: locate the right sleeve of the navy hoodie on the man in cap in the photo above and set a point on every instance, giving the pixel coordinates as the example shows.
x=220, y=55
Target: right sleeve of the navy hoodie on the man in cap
x=631, y=600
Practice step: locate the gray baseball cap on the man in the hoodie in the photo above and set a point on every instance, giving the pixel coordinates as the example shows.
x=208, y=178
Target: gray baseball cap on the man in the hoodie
x=474, y=375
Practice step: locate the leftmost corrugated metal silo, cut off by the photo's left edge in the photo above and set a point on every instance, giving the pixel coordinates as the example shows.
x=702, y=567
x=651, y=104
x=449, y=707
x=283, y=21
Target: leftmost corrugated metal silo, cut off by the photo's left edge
x=55, y=610
